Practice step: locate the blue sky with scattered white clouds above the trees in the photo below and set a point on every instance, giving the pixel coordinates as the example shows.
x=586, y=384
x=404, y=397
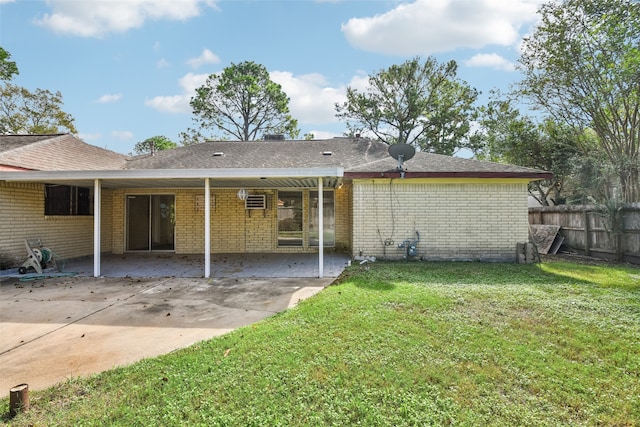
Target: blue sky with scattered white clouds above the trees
x=127, y=68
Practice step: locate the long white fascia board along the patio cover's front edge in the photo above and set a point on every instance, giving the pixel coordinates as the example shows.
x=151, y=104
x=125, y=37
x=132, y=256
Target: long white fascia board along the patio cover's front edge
x=173, y=174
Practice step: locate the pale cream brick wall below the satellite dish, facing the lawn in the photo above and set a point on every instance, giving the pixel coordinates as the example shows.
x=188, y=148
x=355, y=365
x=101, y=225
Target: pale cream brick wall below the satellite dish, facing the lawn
x=457, y=219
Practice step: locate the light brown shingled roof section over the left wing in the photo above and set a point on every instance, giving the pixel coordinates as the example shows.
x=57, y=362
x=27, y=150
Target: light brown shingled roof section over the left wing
x=55, y=152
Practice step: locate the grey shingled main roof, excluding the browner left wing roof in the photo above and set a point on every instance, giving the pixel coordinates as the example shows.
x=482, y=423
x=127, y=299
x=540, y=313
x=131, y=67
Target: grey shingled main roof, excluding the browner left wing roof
x=360, y=157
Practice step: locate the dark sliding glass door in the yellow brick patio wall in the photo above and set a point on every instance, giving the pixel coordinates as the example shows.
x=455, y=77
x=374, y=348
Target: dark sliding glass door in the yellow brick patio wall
x=151, y=222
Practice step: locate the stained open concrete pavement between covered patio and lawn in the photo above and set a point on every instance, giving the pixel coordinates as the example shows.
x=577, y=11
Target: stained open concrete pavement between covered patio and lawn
x=56, y=329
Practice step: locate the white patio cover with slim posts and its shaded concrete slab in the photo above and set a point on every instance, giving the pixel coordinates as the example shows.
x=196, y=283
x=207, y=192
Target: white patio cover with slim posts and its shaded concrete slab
x=208, y=264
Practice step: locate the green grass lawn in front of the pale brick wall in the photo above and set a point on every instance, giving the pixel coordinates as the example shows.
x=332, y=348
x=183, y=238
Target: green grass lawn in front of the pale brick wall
x=398, y=344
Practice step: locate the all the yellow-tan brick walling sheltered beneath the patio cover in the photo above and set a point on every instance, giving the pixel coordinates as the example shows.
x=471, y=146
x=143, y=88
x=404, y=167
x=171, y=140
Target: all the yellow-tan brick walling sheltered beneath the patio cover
x=233, y=228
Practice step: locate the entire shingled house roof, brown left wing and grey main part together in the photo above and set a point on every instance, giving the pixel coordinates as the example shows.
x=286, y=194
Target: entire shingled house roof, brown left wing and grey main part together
x=358, y=157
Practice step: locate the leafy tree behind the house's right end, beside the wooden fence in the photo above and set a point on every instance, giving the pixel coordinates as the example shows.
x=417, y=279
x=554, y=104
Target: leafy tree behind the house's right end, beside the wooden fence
x=505, y=135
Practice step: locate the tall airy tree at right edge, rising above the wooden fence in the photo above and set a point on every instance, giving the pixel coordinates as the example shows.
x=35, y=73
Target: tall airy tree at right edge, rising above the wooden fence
x=582, y=66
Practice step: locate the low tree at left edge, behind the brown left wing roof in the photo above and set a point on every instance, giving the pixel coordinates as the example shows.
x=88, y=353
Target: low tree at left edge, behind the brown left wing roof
x=39, y=112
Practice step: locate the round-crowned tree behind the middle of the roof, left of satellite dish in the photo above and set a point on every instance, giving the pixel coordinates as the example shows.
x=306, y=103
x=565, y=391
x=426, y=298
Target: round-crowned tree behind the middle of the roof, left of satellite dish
x=242, y=102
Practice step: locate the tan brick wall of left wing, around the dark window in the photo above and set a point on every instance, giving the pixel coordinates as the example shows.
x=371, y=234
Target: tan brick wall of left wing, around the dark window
x=22, y=217
